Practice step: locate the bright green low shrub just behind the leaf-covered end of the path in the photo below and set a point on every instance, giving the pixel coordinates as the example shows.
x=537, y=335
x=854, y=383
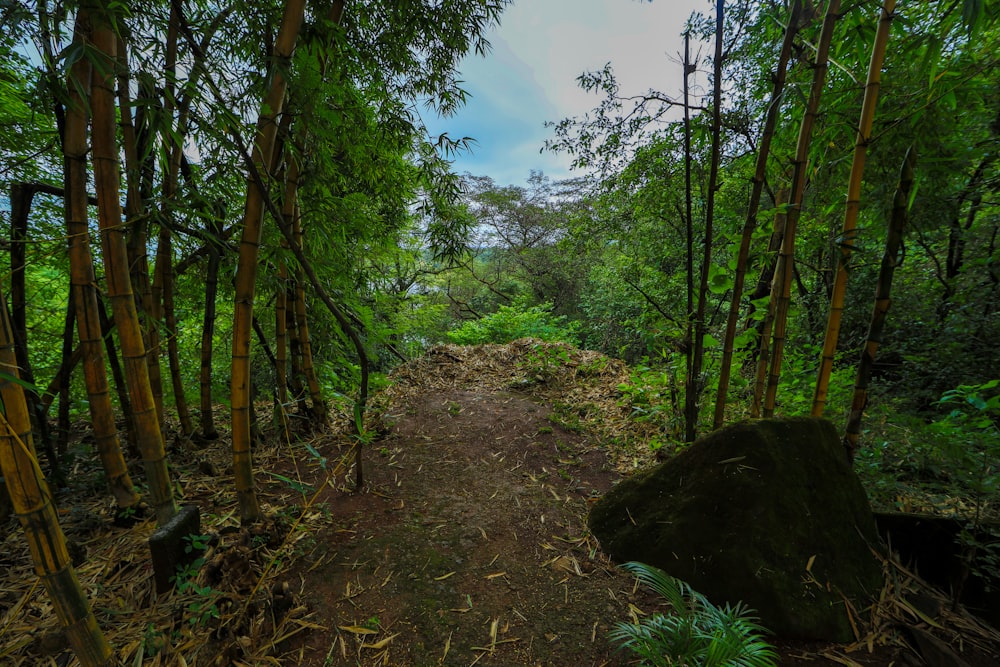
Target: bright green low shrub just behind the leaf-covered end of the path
x=516, y=321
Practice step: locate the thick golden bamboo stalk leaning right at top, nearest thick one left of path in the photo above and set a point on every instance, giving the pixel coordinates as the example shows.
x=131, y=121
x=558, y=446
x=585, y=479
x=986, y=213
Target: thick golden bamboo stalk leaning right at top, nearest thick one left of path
x=246, y=272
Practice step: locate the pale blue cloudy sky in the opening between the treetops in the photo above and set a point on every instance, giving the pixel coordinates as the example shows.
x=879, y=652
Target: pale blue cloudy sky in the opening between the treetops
x=529, y=77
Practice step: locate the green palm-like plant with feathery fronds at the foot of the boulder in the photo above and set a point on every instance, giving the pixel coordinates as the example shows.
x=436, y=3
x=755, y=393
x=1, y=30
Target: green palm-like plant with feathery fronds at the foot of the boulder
x=696, y=633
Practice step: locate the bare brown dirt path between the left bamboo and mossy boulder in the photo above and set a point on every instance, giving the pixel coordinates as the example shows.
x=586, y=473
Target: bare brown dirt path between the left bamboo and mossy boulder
x=469, y=545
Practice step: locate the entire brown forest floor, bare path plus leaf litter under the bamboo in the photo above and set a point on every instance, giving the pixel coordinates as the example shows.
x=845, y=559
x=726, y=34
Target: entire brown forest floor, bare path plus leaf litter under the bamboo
x=467, y=543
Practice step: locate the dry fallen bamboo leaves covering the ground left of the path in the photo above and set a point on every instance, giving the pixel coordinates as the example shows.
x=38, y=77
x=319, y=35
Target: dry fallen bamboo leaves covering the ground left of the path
x=235, y=609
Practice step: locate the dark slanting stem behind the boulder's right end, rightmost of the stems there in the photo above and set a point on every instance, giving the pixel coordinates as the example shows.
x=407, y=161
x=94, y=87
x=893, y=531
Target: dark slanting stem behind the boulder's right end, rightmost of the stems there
x=890, y=260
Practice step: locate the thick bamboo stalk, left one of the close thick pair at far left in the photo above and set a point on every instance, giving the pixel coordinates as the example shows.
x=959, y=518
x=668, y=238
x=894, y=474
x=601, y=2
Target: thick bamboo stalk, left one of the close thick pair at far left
x=82, y=278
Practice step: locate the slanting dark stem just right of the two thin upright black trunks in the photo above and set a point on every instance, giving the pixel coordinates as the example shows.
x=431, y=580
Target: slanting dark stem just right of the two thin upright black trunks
x=750, y=224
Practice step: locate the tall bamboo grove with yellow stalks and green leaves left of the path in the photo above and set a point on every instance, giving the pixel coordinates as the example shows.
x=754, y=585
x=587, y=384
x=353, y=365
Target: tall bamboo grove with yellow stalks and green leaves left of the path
x=141, y=131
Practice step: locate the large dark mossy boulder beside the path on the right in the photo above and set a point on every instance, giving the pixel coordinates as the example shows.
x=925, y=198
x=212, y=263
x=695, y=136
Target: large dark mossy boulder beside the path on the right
x=766, y=512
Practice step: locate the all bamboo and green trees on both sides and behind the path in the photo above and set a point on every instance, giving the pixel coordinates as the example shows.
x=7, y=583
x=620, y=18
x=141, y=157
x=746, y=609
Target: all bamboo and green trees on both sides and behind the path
x=220, y=204
